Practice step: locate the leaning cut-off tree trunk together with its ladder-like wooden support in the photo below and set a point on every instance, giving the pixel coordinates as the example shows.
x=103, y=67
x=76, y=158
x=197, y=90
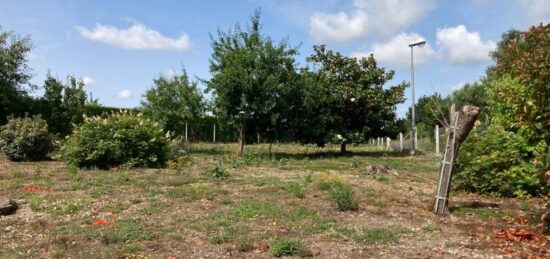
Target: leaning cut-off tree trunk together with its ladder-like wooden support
x=461, y=125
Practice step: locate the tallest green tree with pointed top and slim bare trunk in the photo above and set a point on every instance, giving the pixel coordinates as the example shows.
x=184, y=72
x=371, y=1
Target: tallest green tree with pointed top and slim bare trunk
x=252, y=78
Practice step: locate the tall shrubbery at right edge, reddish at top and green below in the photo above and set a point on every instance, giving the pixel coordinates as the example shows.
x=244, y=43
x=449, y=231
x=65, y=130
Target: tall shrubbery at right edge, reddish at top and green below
x=510, y=155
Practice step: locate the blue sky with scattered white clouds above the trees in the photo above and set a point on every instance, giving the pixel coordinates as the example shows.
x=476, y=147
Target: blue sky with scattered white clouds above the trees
x=118, y=47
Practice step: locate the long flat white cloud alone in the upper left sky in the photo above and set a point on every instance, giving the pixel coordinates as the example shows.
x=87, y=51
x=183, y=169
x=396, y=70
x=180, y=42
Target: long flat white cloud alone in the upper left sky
x=136, y=36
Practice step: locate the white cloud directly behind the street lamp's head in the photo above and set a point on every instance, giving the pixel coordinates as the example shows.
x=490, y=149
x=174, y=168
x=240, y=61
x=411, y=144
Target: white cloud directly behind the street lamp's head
x=396, y=51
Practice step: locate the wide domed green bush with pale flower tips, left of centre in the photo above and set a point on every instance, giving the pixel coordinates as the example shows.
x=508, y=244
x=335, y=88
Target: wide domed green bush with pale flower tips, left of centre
x=122, y=138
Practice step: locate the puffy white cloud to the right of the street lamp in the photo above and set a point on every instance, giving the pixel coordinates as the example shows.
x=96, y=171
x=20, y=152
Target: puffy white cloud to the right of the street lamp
x=463, y=47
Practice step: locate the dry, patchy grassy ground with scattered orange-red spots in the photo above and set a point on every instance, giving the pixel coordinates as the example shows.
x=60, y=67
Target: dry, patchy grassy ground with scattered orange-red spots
x=300, y=201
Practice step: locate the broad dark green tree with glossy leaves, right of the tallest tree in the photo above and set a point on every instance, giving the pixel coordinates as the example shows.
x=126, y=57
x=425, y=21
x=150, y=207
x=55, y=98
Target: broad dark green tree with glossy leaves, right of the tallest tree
x=349, y=98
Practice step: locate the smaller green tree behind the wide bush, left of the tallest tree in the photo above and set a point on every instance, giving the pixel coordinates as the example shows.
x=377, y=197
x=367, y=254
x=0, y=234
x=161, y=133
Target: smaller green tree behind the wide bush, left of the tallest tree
x=174, y=101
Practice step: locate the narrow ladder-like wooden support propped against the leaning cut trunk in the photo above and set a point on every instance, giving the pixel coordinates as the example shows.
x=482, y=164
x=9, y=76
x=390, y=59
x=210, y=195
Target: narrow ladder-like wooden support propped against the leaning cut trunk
x=441, y=197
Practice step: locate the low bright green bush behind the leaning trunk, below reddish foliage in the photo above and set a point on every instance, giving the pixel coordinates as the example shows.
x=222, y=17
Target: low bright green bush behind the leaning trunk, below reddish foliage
x=502, y=163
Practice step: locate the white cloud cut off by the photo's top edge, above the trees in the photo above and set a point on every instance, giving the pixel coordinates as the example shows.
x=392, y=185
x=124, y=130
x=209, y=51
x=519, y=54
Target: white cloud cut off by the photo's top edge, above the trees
x=386, y=17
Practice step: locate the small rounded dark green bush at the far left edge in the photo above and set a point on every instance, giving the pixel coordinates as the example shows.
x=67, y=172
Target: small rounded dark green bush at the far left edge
x=25, y=139
